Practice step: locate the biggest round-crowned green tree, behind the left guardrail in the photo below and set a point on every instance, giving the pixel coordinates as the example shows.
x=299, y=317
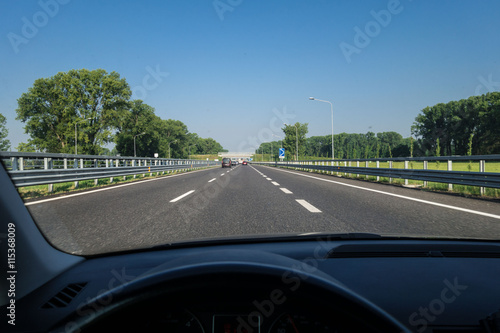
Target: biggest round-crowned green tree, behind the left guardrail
x=92, y=101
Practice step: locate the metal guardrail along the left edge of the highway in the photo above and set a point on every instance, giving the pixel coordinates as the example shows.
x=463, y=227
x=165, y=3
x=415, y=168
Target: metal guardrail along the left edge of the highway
x=26, y=169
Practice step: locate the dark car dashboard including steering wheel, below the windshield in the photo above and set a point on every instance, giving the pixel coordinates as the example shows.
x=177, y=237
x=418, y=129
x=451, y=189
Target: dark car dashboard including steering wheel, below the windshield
x=298, y=284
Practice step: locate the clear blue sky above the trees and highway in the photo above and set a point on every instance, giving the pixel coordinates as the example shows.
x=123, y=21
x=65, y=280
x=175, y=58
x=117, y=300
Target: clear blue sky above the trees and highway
x=228, y=71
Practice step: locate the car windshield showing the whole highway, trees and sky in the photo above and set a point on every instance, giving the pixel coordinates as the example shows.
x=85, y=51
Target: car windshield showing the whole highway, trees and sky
x=124, y=124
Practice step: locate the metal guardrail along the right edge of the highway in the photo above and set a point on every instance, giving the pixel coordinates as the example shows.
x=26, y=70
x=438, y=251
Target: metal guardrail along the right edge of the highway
x=481, y=179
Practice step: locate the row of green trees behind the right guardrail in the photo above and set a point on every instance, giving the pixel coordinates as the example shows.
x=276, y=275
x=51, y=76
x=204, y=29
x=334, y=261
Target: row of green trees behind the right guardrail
x=466, y=127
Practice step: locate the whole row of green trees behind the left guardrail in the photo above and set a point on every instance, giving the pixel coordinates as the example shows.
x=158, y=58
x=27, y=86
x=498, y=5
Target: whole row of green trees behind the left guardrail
x=85, y=110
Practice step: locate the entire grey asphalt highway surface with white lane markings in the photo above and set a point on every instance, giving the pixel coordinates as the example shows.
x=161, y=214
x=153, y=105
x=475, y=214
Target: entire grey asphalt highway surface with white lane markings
x=249, y=200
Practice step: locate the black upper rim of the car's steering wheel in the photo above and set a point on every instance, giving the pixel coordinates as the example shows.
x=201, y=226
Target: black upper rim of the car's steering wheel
x=208, y=277
